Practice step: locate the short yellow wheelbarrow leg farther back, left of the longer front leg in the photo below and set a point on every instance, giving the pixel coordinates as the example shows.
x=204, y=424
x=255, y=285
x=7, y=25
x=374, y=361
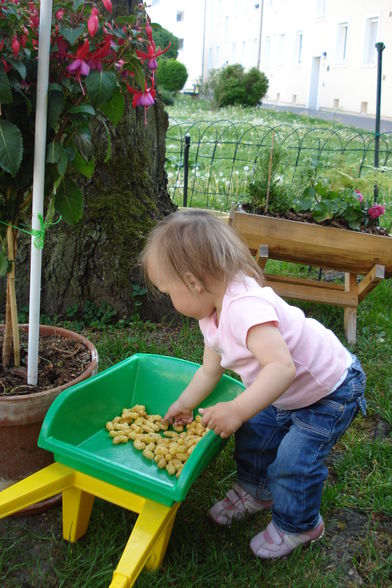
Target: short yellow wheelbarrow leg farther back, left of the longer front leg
x=77, y=507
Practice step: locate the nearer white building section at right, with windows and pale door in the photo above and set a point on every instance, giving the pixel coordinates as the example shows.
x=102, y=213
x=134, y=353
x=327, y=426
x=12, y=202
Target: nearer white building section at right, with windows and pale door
x=321, y=53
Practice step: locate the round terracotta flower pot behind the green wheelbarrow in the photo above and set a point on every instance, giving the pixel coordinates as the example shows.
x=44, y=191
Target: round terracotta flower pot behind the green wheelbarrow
x=21, y=418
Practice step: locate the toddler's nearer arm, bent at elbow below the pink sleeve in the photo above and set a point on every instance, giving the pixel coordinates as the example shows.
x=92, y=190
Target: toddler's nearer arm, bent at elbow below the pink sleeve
x=276, y=375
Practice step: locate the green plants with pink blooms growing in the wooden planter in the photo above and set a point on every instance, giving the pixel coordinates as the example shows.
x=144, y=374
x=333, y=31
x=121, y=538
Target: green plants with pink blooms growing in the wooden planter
x=333, y=198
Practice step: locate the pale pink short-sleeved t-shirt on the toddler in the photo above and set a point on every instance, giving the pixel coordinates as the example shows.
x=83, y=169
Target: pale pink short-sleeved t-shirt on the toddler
x=319, y=357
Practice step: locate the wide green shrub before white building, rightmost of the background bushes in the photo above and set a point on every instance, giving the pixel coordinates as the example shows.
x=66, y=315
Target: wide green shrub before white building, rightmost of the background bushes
x=234, y=86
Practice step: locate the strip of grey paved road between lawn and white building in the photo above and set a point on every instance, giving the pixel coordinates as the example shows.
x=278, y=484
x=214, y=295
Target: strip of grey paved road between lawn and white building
x=361, y=121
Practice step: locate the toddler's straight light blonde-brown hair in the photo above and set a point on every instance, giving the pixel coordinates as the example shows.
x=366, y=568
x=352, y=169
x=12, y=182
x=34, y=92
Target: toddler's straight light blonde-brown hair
x=198, y=242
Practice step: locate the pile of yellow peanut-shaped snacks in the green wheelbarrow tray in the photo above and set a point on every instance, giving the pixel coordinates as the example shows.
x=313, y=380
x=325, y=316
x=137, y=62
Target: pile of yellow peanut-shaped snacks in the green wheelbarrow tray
x=168, y=448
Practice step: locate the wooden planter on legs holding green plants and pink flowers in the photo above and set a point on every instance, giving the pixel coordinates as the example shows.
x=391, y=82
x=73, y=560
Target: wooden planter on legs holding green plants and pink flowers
x=328, y=223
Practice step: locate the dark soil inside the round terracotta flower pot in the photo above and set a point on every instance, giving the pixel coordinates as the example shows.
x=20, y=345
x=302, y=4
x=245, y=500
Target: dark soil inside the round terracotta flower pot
x=60, y=360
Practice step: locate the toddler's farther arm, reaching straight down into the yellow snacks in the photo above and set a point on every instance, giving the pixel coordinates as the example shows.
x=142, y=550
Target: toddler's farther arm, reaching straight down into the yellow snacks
x=201, y=385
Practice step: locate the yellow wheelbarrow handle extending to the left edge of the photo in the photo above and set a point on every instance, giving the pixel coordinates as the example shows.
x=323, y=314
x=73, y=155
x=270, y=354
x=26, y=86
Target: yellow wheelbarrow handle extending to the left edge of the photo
x=41, y=485
